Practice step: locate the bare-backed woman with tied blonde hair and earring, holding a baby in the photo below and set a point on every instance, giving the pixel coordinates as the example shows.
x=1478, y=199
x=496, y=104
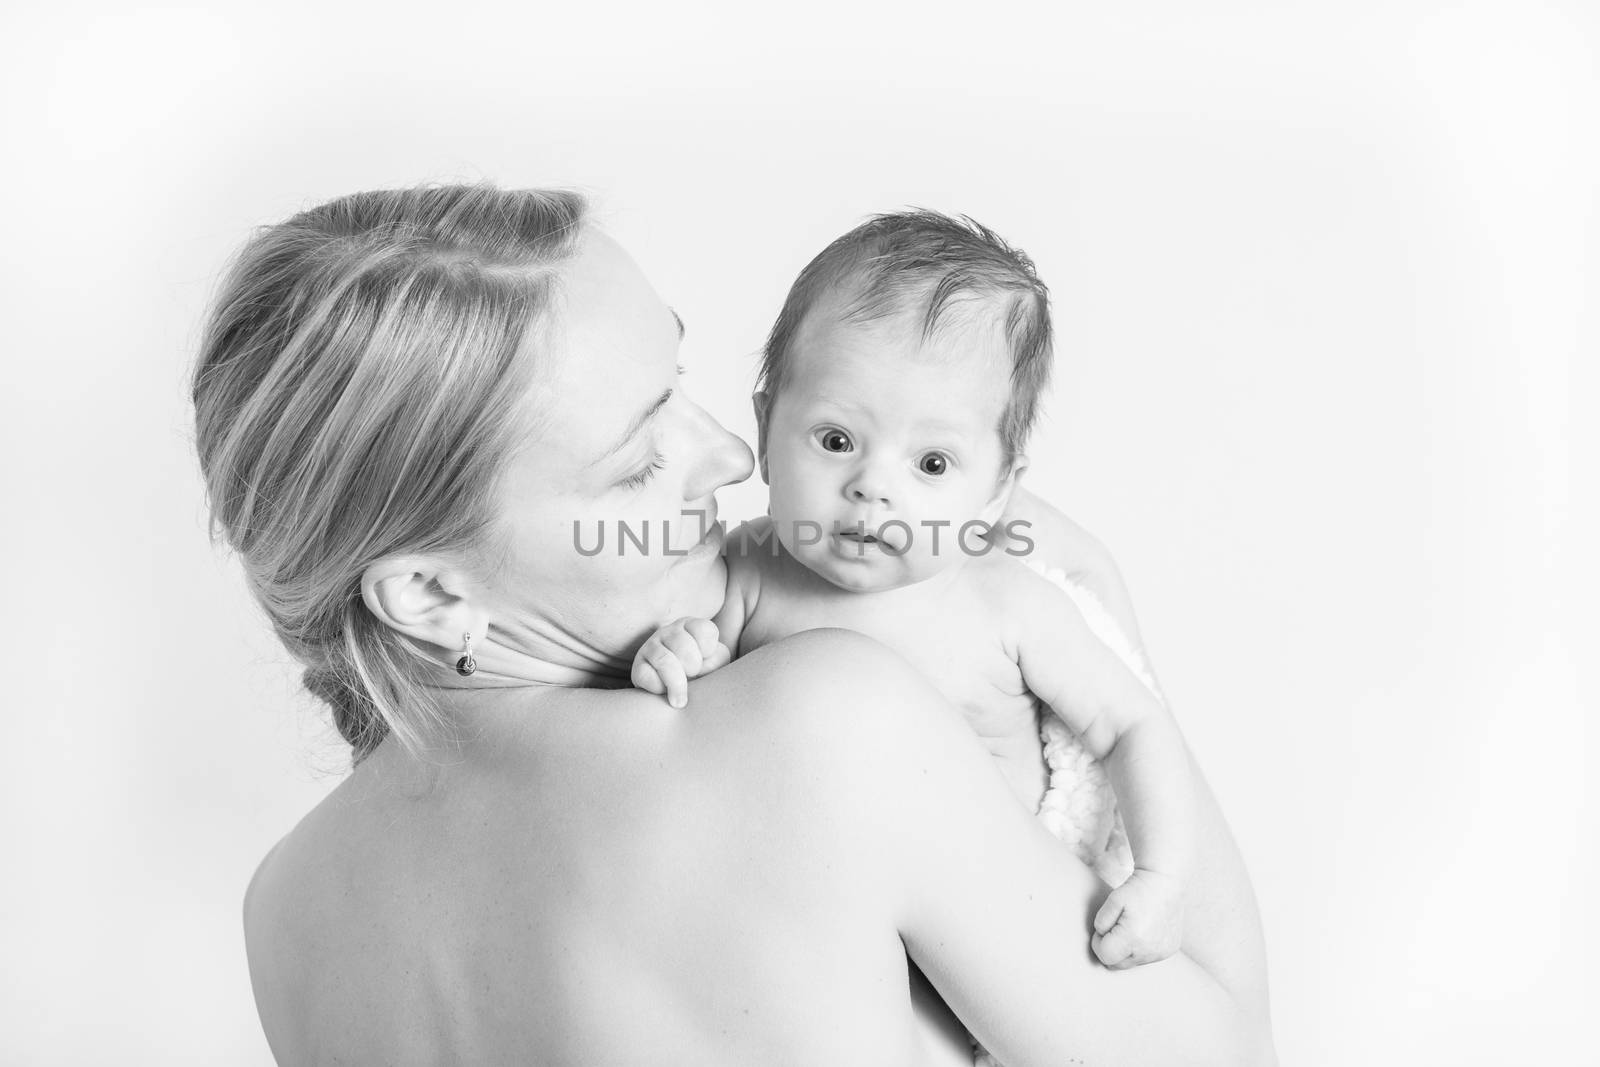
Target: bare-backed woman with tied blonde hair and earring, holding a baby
x=407, y=406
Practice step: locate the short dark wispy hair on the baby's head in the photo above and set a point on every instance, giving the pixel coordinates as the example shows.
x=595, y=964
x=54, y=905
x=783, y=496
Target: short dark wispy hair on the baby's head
x=940, y=268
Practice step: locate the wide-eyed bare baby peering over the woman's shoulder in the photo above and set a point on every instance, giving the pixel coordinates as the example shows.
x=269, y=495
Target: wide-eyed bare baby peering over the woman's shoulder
x=898, y=390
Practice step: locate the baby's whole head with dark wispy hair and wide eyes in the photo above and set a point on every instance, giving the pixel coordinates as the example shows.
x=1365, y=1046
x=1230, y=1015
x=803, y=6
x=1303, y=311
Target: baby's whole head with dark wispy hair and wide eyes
x=898, y=390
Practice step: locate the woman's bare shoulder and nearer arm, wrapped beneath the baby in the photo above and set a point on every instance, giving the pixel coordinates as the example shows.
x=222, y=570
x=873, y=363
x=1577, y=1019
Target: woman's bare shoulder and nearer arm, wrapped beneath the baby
x=991, y=908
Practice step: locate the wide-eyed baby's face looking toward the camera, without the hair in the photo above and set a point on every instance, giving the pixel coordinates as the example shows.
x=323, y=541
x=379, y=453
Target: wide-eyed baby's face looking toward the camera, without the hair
x=881, y=447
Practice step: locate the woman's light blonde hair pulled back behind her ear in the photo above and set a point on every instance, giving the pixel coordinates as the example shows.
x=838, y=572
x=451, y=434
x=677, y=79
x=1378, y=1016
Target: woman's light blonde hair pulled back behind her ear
x=358, y=394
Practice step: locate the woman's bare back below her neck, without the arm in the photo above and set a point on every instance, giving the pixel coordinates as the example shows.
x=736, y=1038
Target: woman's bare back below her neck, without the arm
x=596, y=881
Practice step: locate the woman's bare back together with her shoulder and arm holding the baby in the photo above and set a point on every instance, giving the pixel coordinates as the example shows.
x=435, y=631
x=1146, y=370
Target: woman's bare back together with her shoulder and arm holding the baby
x=599, y=879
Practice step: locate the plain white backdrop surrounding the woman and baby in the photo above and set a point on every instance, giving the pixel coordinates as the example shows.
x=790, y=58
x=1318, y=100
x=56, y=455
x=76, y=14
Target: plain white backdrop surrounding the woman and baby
x=1322, y=284
